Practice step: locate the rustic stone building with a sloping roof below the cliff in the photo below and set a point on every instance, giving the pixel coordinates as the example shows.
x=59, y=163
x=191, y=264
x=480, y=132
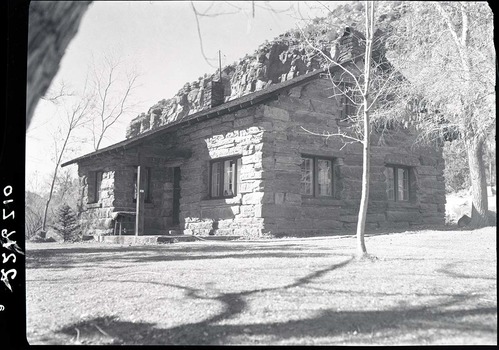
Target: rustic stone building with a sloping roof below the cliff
x=251, y=167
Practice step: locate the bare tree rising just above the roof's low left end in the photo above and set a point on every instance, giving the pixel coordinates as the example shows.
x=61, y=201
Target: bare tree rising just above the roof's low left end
x=111, y=97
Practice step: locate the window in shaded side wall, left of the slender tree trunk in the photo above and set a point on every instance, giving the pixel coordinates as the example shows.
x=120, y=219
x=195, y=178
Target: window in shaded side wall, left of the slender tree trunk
x=316, y=177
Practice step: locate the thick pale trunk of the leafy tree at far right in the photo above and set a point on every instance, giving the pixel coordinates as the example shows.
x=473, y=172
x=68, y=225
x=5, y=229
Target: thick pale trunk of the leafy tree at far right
x=479, y=206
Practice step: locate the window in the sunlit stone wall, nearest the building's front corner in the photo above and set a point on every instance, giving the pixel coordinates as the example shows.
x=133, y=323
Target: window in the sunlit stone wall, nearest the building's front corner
x=225, y=177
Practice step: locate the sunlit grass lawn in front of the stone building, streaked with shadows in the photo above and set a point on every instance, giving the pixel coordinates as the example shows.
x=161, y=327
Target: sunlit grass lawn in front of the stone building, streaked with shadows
x=426, y=287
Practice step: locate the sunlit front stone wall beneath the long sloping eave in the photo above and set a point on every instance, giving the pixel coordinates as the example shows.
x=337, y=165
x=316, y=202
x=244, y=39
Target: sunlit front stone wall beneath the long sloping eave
x=235, y=134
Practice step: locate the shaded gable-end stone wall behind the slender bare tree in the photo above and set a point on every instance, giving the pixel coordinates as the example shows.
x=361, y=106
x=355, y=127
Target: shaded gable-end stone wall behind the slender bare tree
x=287, y=212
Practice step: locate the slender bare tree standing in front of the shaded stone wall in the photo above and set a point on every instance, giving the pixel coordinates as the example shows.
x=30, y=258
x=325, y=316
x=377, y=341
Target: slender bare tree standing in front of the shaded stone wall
x=362, y=79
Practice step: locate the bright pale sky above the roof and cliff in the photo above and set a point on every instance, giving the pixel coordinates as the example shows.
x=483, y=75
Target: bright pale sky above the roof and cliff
x=159, y=39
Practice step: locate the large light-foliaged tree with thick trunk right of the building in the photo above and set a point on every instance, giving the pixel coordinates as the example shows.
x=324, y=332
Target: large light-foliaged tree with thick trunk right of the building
x=446, y=51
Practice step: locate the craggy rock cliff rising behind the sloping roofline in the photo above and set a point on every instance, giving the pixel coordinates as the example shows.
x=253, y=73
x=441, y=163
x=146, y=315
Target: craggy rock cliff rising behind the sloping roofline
x=282, y=59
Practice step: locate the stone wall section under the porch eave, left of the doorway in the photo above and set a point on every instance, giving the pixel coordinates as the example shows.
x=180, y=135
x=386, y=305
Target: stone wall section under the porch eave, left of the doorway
x=117, y=189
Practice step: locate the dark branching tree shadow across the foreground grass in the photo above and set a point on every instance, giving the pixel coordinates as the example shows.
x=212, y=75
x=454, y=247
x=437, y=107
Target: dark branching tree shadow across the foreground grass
x=368, y=326
